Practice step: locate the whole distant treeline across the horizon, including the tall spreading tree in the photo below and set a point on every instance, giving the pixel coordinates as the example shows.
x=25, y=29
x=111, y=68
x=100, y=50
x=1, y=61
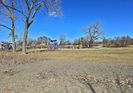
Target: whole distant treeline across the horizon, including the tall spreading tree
x=93, y=37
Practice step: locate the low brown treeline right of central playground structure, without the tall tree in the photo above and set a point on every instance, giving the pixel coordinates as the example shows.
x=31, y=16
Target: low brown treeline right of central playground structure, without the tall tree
x=83, y=42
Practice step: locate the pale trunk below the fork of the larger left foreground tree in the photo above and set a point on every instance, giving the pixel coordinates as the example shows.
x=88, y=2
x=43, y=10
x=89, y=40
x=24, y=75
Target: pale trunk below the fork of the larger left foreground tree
x=25, y=39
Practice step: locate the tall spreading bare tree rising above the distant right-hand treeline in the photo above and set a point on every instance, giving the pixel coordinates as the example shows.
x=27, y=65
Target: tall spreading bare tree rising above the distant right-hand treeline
x=93, y=33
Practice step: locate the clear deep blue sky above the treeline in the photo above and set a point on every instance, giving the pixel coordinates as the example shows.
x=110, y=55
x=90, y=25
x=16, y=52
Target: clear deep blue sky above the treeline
x=115, y=16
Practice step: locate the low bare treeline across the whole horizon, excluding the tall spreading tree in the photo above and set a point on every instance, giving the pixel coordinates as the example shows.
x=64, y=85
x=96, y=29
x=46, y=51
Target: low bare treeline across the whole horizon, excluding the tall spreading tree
x=44, y=41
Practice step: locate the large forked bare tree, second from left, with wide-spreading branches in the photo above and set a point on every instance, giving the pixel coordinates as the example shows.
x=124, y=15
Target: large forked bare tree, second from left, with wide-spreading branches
x=29, y=9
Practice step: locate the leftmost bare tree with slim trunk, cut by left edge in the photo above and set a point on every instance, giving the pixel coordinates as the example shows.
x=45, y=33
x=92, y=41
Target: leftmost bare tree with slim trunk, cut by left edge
x=9, y=13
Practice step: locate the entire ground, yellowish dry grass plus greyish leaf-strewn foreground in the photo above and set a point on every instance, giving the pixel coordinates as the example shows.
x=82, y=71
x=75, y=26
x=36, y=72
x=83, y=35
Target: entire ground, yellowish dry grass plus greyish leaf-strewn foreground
x=67, y=71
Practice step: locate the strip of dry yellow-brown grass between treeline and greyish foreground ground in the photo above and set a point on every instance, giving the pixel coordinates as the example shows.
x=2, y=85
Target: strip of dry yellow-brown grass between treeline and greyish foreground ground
x=111, y=55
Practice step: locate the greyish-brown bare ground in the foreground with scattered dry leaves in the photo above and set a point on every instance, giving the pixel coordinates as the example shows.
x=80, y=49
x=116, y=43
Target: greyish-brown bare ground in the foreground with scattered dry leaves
x=58, y=76
